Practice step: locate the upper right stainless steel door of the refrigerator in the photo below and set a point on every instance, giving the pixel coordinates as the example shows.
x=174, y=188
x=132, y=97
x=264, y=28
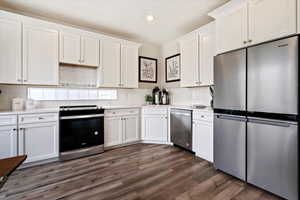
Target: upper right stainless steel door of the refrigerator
x=273, y=77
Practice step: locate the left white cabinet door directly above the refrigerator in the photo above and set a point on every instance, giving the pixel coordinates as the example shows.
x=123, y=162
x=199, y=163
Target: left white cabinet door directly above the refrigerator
x=232, y=30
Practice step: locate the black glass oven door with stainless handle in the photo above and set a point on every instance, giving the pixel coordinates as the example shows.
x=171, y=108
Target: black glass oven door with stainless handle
x=81, y=132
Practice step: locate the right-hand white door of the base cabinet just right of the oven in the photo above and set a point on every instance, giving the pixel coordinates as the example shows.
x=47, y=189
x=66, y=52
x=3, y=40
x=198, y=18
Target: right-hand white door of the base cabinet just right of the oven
x=131, y=129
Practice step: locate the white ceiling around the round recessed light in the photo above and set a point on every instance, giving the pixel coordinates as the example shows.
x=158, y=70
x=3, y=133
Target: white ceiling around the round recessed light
x=125, y=18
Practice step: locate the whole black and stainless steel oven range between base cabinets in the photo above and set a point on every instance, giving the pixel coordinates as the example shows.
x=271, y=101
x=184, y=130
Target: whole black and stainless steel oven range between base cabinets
x=81, y=131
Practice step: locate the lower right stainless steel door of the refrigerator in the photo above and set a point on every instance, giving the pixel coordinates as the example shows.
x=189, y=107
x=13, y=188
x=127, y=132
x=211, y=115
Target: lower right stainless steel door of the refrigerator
x=272, y=156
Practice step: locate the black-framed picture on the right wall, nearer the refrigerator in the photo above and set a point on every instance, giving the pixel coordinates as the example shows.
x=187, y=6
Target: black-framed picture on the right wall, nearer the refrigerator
x=173, y=68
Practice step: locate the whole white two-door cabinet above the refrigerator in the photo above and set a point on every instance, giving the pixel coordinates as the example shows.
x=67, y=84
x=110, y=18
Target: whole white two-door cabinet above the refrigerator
x=243, y=23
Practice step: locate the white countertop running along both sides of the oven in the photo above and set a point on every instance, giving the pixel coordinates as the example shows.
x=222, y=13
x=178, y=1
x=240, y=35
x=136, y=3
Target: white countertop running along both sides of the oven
x=56, y=109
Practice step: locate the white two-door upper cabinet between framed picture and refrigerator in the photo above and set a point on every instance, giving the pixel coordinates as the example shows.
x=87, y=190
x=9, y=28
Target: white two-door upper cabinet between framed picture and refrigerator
x=197, y=55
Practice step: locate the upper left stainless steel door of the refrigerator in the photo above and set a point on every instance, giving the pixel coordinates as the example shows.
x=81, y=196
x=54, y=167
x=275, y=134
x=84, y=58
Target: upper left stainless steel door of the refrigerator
x=230, y=81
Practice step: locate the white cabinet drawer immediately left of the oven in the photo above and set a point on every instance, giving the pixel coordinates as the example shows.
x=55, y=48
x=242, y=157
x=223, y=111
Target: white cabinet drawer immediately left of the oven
x=37, y=118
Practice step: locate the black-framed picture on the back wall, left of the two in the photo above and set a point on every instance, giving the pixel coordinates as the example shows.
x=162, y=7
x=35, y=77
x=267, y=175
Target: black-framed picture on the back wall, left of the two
x=147, y=70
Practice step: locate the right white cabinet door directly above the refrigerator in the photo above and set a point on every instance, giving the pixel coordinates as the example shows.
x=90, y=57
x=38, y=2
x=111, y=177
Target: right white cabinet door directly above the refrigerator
x=271, y=19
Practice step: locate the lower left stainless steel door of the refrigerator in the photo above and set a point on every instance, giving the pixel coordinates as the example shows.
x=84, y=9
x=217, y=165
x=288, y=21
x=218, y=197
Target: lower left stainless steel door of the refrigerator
x=230, y=144
